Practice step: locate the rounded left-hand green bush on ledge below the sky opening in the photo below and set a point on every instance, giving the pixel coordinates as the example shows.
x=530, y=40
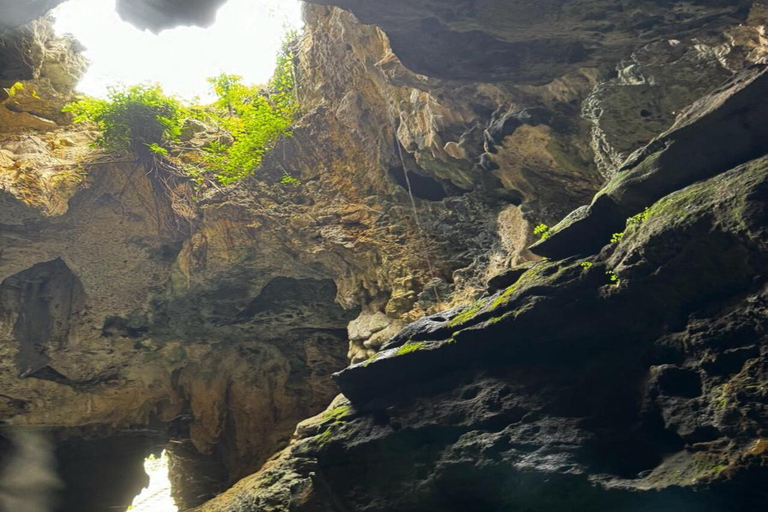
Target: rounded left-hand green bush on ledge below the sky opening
x=138, y=118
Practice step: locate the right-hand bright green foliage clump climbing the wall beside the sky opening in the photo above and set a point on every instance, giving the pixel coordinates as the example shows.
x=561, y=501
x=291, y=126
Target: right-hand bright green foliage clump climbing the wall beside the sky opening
x=255, y=117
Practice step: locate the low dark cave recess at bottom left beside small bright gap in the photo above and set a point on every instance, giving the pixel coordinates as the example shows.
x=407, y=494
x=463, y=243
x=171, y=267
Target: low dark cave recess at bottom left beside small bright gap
x=73, y=471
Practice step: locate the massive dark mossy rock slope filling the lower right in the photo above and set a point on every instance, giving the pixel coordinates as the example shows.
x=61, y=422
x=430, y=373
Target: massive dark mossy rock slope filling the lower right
x=566, y=390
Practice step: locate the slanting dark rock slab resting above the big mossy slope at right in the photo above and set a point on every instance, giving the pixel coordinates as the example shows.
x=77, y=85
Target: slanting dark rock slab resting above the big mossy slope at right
x=720, y=130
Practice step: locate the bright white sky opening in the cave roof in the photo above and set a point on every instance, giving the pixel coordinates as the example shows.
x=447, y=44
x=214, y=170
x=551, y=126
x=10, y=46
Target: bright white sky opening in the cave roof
x=244, y=40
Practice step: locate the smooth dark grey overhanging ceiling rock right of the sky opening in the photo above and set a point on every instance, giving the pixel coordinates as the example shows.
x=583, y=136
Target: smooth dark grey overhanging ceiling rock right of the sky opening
x=527, y=42
